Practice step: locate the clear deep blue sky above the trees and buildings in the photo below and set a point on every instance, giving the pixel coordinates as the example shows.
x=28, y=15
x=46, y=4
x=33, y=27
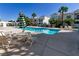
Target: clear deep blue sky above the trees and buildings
x=10, y=11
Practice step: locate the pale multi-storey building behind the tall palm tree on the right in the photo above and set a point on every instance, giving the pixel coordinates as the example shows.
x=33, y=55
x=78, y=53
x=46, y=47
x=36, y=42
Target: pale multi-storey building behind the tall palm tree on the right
x=74, y=15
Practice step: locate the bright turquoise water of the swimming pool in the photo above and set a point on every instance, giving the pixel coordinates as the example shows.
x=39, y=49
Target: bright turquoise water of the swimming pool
x=42, y=30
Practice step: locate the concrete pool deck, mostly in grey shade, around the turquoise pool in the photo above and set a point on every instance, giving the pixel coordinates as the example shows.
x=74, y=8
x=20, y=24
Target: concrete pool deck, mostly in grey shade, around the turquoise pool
x=65, y=43
